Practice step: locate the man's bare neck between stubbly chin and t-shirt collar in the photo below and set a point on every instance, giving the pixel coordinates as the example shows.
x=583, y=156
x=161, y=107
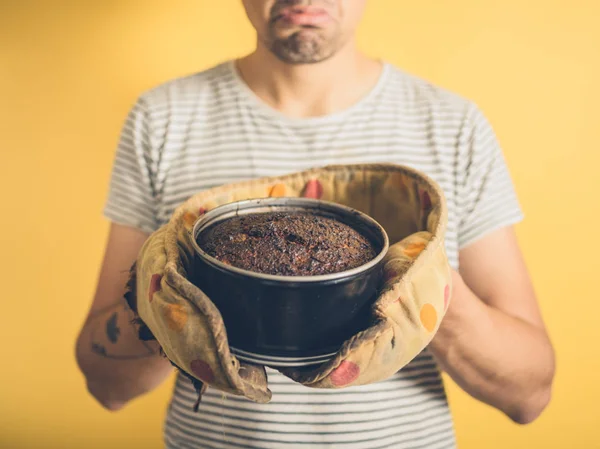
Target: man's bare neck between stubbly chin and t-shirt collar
x=310, y=90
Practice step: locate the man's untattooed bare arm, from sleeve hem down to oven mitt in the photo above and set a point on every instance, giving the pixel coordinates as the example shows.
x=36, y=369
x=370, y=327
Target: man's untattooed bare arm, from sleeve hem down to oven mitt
x=493, y=342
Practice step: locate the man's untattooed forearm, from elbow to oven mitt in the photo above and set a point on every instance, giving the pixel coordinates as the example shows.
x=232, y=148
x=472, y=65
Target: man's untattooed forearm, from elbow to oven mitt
x=498, y=359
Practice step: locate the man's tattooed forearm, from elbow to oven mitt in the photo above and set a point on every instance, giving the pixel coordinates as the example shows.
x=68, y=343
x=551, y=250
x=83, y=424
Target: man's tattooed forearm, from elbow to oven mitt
x=117, y=365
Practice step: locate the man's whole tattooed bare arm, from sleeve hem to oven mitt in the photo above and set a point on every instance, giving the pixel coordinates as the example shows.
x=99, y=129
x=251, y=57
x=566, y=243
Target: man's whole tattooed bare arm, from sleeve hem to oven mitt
x=116, y=364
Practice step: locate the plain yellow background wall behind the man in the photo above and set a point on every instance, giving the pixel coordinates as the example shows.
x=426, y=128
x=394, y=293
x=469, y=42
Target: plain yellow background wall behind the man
x=70, y=70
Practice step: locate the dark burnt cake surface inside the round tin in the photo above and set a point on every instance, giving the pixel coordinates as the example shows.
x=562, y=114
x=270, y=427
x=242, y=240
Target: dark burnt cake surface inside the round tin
x=287, y=244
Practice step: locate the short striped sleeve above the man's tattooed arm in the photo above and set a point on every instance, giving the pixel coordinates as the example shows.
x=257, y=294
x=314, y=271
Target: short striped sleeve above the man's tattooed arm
x=131, y=197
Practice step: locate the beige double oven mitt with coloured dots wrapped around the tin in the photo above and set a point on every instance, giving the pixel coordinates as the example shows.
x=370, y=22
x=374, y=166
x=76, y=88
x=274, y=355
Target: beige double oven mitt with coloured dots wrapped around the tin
x=405, y=316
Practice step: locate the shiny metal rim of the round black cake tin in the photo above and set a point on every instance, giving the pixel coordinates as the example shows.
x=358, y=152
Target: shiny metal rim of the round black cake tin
x=343, y=213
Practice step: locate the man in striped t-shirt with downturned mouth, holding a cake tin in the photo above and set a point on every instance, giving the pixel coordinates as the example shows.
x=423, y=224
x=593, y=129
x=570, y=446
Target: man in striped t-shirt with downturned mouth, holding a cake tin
x=307, y=97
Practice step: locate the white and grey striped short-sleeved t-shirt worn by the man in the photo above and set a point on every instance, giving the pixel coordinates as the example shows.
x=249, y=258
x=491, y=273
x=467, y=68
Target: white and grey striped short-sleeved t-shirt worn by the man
x=209, y=129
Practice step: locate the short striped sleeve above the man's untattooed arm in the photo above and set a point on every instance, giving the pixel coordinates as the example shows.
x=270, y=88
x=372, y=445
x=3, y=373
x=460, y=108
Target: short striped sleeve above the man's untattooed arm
x=487, y=197
